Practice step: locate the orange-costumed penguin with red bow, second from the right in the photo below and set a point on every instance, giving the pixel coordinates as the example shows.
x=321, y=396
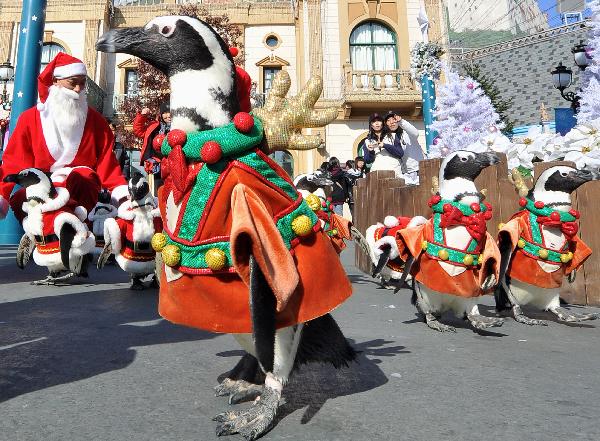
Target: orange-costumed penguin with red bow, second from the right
x=452, y=258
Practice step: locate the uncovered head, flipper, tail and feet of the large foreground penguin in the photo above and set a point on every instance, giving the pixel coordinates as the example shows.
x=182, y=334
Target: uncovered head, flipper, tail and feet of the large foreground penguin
x=202, y=77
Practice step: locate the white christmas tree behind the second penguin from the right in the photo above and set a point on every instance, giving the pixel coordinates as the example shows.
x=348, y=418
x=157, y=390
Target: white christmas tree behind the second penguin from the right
x=464, y=115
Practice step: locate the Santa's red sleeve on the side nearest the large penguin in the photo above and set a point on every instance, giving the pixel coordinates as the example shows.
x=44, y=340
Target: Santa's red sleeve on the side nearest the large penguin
x=108, y=168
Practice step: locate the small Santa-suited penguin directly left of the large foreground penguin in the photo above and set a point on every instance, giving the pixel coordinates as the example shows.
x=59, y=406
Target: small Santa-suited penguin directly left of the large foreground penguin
x=129, y=236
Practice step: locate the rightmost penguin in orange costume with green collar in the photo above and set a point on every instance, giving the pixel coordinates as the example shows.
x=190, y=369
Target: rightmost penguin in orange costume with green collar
x=539, y=245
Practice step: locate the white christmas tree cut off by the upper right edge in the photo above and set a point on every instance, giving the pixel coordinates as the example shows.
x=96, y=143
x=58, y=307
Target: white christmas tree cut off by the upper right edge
x=589, y=112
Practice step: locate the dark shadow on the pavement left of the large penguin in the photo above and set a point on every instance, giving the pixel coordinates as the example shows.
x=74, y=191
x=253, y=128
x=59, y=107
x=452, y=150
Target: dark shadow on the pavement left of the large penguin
x=55, y=340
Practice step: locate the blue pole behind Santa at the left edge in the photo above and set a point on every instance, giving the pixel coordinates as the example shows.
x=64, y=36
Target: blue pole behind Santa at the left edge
x=29, y=56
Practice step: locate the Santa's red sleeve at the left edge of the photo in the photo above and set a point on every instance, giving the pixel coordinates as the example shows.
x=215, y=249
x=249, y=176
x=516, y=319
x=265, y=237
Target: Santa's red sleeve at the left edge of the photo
x=18, y=154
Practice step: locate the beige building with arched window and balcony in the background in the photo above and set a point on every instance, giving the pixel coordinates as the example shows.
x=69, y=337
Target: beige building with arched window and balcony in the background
x=361, y=48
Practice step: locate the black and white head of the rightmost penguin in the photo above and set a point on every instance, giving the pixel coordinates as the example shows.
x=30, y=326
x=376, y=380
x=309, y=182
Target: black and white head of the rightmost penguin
x=555, y=185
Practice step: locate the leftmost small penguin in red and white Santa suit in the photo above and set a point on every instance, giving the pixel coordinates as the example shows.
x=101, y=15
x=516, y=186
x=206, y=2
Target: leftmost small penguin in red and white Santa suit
x=55, y=230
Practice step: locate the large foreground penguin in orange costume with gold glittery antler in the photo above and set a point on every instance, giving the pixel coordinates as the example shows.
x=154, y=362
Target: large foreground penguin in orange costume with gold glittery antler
x=243, y=252
